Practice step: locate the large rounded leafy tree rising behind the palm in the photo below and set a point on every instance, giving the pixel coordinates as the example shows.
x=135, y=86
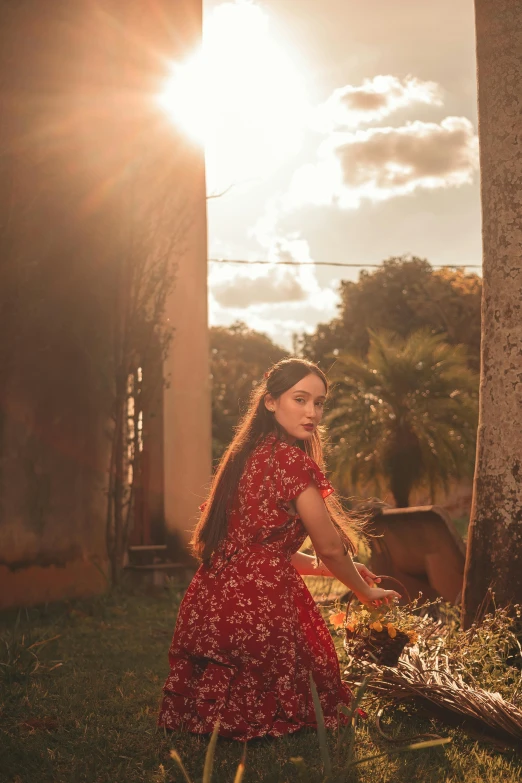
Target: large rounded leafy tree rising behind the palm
x=403, y=295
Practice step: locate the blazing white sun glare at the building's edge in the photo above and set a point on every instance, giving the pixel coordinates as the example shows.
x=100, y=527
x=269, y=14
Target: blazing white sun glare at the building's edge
x=242, y=95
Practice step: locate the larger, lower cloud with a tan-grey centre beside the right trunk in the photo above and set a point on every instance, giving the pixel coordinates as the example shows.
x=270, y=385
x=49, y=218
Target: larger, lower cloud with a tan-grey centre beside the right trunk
x=377, y=164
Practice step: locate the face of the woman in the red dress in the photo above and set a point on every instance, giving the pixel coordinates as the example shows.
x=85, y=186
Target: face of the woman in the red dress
x=300, y=409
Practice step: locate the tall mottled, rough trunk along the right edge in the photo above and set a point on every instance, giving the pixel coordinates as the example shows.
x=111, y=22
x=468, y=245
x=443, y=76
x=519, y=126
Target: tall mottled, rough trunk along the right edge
x=494, y=556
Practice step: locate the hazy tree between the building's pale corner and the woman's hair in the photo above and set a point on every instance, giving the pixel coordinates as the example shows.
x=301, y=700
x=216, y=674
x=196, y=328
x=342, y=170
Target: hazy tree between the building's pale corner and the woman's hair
x=239, y=356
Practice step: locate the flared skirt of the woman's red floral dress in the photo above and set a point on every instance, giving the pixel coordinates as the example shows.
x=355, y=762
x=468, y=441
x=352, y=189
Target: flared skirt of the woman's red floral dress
x=260, y=686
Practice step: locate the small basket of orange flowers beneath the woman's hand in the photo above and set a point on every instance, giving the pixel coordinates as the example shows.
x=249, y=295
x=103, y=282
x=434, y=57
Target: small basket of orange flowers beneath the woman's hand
x=377, y=635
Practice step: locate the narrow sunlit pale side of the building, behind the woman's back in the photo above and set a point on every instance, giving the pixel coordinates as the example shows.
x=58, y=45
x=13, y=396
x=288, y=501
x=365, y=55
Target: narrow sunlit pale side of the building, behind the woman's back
x=187, y=405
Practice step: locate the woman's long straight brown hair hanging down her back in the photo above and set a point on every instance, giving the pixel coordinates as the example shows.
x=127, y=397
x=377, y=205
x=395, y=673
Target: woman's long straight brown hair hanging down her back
x=254, y=426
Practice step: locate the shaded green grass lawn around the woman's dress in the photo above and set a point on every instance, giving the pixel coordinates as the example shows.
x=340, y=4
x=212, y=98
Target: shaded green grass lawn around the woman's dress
x=83, y=705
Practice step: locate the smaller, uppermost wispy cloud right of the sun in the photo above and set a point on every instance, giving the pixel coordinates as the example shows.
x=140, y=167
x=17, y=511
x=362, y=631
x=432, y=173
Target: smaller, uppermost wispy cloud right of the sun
x=372, y=101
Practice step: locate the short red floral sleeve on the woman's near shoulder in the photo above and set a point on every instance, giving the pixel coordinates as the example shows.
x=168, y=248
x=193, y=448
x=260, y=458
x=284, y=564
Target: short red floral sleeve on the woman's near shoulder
x=295, y=471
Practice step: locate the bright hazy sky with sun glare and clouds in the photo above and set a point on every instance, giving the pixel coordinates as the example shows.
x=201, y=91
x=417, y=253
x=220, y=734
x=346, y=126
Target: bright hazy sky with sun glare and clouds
x=345, y=131
